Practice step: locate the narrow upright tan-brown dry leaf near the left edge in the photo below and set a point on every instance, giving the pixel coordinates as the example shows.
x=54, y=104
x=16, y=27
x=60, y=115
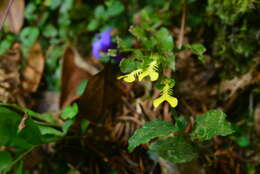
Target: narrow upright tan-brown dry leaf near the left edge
x=32, y=73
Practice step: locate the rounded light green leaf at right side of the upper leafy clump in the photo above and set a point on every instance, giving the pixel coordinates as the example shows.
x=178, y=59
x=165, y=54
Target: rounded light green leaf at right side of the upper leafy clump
x=164, y=40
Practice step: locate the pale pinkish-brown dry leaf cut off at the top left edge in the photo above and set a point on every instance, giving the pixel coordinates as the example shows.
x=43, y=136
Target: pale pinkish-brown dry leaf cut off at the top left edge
x=16, y=16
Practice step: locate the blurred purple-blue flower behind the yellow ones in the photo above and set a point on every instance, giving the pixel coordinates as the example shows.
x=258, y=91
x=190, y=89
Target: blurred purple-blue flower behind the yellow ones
x=103, y=43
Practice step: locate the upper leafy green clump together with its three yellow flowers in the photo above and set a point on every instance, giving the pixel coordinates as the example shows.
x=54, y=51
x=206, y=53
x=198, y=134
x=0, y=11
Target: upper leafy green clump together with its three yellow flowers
x=157, y=53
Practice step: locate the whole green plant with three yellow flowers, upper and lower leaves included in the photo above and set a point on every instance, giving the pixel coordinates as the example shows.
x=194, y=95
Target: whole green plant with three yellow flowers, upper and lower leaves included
x=157, y=53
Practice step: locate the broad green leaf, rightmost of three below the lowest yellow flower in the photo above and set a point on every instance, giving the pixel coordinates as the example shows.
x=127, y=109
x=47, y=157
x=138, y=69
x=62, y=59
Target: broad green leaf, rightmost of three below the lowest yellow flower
x=210, y=124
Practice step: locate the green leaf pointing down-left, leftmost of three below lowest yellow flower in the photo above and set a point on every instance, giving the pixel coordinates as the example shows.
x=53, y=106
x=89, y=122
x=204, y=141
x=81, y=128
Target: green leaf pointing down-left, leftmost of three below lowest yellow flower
x=150, y=130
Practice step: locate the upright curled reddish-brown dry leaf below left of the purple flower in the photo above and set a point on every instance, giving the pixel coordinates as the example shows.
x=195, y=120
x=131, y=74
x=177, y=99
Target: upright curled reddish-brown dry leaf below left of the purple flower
x=72, y=76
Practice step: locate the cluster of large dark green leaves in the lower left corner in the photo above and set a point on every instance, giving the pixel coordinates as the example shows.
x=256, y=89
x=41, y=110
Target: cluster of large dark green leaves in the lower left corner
x=25, y=130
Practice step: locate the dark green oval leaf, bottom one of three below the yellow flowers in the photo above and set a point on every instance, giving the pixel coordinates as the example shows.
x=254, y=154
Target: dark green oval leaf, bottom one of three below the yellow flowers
x=174, y=149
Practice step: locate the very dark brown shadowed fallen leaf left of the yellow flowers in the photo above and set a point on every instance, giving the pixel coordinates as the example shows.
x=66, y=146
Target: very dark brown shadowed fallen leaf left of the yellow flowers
x=101, y=94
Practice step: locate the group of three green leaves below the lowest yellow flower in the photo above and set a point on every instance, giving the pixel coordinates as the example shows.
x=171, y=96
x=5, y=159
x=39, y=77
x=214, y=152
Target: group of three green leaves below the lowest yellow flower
x=181, y=147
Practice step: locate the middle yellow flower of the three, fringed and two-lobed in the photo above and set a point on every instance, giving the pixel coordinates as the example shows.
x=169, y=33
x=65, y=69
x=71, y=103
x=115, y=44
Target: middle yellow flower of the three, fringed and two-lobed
x=151, y=71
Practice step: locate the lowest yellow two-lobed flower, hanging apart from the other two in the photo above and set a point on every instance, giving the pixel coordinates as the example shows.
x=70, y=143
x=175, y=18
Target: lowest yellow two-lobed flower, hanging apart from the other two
x=166, y=96
